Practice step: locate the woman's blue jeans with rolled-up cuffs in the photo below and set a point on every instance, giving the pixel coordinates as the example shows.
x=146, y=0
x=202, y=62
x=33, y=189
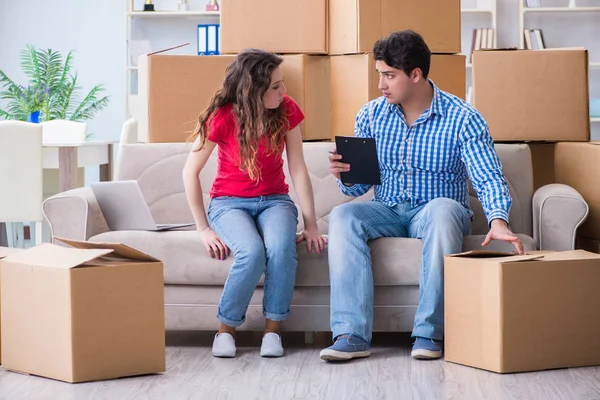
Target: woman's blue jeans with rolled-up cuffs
x=261, y=234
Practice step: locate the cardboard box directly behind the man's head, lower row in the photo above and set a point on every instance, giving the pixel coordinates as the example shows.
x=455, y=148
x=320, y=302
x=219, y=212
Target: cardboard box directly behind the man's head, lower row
x=446, y=71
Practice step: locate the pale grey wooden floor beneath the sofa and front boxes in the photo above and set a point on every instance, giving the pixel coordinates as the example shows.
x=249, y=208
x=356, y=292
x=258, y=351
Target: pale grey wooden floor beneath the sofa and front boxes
x=390, y=373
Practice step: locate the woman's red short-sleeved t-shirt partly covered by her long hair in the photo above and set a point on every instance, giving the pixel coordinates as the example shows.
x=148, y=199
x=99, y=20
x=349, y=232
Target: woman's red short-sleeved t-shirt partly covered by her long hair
x=230, y=180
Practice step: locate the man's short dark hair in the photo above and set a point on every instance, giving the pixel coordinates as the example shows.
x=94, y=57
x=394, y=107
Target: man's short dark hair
x=405, y=50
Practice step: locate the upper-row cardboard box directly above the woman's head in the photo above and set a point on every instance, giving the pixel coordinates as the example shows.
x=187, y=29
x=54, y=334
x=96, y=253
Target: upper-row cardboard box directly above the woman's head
x=279, y=26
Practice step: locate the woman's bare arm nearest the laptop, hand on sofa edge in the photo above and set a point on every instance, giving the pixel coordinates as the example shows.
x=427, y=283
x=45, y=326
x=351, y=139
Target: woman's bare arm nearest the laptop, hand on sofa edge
x=193, y=192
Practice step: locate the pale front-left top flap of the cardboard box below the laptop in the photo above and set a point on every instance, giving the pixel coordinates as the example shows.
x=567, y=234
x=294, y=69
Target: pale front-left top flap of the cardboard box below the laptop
x=53, y=256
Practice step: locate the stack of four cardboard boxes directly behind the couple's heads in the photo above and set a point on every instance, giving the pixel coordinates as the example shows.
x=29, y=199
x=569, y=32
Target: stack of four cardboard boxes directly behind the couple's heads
x=328, y=66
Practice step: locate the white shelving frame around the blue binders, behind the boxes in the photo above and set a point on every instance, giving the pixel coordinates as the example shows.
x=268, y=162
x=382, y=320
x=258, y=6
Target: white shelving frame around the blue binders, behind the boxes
x=133, y=13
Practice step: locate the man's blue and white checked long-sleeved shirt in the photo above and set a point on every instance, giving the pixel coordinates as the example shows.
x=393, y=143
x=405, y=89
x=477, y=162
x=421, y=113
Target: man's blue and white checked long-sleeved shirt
x=447, y=144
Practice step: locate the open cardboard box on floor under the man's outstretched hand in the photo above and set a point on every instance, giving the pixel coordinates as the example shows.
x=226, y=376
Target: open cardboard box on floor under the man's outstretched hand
x=522, y=313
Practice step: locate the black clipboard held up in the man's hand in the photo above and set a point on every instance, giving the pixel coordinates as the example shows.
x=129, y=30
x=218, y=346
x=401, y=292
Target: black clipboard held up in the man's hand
x=361, y=154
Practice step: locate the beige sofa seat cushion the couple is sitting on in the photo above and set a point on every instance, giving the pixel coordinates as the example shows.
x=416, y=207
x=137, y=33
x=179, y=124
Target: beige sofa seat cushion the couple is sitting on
x=395, y=260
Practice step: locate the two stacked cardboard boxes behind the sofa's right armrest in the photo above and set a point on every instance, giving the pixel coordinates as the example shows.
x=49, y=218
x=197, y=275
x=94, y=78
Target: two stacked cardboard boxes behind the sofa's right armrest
x=541, y=97
